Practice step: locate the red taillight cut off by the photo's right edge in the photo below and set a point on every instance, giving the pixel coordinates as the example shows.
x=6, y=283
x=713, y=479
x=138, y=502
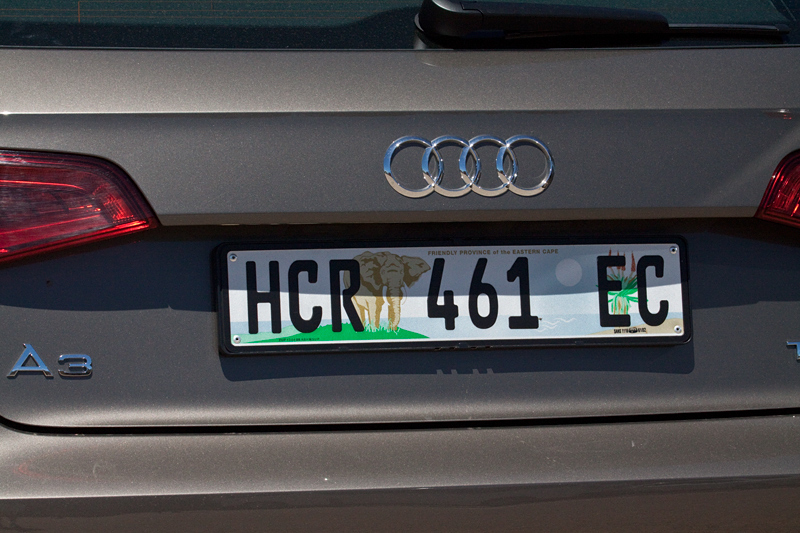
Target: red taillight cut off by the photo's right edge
x=781, y=202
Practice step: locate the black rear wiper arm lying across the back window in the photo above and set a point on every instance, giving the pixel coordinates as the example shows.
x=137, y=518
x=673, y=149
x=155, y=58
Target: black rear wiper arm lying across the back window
x=453, y=20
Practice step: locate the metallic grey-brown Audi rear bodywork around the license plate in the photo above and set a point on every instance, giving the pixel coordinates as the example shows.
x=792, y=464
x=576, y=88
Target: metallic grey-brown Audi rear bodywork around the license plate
x=646, y=142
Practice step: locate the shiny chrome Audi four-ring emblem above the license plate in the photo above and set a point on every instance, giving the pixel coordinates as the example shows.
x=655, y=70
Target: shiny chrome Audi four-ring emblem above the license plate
x=471, y=178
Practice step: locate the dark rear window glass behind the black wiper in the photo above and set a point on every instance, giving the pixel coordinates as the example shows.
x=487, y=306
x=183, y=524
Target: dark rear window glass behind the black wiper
x=302, y=24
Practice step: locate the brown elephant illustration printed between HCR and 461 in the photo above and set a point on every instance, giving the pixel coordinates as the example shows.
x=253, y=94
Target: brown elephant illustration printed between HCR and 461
x=384, y=271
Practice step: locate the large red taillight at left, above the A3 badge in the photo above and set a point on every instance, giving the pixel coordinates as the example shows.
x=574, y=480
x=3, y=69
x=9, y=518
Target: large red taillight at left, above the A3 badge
x=50, y=201
